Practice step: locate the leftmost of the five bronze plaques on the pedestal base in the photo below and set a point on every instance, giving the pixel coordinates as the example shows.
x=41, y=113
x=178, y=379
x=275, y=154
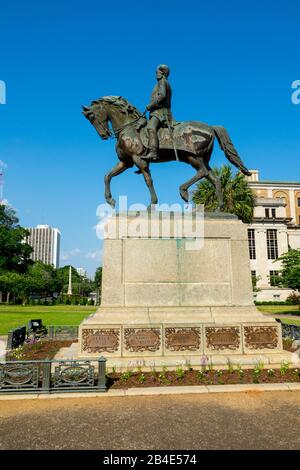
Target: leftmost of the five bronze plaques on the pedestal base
x=100, y=340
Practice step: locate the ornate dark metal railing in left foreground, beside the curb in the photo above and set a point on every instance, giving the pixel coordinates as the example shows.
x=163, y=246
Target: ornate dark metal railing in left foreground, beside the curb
x=52, y=376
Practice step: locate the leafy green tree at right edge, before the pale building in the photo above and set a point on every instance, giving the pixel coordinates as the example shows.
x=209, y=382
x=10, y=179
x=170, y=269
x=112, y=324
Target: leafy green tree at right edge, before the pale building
x=289, y=275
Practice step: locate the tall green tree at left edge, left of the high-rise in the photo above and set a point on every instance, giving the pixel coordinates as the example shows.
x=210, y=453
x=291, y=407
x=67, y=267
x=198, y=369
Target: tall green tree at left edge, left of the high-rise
x=14, y=252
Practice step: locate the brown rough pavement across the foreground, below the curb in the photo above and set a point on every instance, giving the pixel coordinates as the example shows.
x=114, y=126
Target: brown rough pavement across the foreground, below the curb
x=252, y=420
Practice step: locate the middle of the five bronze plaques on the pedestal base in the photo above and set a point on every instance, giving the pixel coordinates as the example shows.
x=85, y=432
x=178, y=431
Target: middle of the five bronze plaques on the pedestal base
x=183, y=339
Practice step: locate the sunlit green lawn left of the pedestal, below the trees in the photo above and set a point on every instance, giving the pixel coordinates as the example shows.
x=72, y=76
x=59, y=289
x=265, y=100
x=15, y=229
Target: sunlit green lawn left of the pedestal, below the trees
x=12, y=316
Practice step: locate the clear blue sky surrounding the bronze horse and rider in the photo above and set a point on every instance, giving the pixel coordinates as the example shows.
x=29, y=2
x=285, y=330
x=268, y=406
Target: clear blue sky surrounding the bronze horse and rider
x=232, y=63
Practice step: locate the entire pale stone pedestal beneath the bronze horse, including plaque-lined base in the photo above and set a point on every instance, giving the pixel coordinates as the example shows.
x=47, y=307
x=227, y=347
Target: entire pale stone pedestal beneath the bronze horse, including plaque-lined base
x=178, y=296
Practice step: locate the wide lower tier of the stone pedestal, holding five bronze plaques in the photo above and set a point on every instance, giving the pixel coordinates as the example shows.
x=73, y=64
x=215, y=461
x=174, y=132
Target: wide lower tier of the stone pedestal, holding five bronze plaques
x=166, y=336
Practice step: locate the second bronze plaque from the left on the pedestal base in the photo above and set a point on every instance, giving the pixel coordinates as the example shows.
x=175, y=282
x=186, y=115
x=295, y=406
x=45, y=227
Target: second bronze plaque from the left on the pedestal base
x=142, y=339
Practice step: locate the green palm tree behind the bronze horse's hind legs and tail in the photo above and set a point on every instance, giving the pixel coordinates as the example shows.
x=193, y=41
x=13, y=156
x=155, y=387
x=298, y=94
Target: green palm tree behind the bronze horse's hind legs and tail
x=238, y=197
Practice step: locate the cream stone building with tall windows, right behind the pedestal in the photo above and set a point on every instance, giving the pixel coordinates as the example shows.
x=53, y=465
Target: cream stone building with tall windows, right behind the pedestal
x=275, y=229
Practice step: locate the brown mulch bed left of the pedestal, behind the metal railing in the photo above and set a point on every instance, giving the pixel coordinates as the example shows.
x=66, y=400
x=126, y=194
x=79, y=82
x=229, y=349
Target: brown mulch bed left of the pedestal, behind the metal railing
x=40, y=350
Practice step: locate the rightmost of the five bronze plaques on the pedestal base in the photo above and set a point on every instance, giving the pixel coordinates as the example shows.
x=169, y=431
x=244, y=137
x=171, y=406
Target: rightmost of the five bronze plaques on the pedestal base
x=261, y=337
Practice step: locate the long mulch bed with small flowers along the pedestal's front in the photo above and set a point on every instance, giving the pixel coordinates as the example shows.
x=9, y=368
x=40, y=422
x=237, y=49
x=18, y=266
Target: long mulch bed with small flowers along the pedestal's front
x=191, y=377
